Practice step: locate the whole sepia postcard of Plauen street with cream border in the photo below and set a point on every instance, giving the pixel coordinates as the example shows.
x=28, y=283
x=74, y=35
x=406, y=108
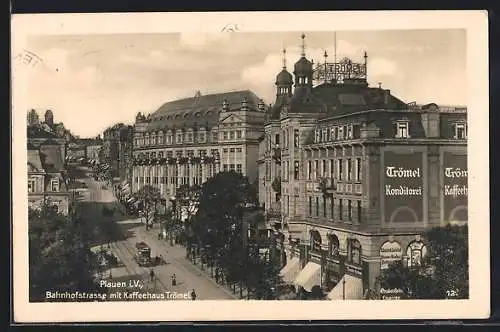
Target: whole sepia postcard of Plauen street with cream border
x=250, y=166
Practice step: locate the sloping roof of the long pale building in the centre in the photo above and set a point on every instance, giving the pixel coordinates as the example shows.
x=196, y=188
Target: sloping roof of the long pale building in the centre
x=199, y=110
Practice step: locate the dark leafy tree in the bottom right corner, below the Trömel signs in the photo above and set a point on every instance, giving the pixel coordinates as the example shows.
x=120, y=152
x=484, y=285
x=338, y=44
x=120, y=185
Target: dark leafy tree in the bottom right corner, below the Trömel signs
x=444, y=272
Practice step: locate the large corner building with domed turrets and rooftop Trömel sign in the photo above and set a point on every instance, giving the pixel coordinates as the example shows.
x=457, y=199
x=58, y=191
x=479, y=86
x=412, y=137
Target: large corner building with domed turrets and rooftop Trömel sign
x=352, y=176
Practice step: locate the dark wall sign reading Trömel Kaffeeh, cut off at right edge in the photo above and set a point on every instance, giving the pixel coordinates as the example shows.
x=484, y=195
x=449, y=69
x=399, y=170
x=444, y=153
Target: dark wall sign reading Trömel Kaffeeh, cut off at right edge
x=455, y=187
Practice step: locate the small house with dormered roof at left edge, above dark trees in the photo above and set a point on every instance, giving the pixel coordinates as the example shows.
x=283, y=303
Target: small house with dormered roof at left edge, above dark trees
x=47, y=179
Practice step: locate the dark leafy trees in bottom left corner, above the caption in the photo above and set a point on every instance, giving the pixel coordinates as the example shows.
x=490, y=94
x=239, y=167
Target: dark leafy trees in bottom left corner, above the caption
x=59, y=254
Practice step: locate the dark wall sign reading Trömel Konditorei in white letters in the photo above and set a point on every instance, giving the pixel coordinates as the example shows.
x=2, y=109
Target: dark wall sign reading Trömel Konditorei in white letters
x=403, y=187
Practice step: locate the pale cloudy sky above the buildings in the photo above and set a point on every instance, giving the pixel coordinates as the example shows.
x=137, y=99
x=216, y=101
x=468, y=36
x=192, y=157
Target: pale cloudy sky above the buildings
x=107, y=79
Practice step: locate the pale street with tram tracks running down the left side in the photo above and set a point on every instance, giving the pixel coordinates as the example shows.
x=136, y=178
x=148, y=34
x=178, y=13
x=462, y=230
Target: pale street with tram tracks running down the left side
x=188, y=276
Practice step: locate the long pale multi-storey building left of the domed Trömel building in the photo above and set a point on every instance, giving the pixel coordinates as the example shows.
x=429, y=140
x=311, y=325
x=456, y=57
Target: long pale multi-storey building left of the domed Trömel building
x=187, y=141
